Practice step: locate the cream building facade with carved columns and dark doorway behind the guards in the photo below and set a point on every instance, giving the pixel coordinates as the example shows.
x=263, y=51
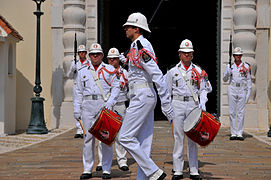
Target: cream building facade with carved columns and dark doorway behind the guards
x=100, y=21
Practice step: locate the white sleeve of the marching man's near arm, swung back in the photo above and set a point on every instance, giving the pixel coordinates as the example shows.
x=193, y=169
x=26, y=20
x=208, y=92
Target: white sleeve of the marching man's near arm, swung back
x=157, y=77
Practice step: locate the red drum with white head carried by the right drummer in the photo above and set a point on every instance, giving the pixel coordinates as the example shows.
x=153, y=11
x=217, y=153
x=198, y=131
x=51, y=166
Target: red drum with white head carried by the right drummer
x=201, y=127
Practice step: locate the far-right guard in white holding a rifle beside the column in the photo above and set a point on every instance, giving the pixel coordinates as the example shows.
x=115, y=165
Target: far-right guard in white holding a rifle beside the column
x=238, y=92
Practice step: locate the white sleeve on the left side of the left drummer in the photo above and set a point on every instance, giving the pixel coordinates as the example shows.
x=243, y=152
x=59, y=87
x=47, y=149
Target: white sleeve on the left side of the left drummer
x=78, y=98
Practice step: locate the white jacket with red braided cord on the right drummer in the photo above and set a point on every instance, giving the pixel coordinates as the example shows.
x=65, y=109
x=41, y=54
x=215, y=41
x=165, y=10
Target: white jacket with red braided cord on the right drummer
x=198, y=81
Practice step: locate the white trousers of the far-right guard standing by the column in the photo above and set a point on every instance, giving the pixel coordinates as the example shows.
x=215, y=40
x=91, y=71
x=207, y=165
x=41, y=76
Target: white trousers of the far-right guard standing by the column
x=237, y=101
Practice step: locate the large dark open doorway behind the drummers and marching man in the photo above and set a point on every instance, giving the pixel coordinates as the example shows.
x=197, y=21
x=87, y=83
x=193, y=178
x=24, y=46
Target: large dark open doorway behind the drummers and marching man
x=175, y=21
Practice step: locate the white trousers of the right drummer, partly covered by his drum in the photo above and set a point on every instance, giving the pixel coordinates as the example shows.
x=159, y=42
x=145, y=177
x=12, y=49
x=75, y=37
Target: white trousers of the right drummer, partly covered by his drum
x=181, y=110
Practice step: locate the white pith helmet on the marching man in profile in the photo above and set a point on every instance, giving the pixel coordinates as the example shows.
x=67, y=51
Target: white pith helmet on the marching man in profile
x=138, y=20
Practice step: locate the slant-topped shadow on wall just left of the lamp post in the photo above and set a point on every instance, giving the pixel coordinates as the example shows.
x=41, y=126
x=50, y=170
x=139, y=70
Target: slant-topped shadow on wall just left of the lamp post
x=24, y=93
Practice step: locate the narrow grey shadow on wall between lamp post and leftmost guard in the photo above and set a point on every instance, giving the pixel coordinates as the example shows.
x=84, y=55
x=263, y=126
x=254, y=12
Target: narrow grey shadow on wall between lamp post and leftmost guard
x=57, y=93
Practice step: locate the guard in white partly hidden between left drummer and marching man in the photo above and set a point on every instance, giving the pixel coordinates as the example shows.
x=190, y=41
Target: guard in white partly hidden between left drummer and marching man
x=122, y=75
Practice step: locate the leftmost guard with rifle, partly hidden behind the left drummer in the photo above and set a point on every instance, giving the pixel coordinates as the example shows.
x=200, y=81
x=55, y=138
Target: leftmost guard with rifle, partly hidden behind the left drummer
x=72, y=74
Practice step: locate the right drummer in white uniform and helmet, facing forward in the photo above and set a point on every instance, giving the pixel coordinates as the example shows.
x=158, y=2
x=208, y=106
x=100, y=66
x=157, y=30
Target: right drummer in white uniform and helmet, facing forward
x=183, y=102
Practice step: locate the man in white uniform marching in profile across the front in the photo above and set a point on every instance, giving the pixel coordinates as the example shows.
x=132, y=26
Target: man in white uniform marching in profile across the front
x=137, y=129
